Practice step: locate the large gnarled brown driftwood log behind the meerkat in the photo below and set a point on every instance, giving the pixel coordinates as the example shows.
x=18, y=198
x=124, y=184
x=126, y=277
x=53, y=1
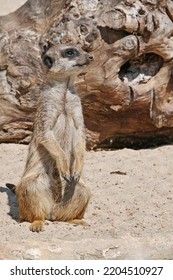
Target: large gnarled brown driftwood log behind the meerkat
x=127, y=92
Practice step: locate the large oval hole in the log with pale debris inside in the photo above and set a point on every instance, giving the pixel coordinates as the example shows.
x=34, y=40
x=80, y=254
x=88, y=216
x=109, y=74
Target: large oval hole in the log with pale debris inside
x=141, y=69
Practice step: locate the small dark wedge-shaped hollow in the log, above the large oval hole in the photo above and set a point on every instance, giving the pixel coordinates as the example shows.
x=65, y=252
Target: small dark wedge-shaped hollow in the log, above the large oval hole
x=110, y=35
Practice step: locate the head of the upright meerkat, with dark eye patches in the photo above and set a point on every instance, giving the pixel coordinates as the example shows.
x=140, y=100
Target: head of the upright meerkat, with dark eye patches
x=65, y=60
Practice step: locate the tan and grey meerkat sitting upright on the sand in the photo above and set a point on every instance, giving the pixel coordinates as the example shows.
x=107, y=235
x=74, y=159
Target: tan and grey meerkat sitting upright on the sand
x=52, y=186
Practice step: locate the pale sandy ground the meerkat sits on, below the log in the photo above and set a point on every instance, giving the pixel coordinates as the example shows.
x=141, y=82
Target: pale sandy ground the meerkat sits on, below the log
x=130, y=211
